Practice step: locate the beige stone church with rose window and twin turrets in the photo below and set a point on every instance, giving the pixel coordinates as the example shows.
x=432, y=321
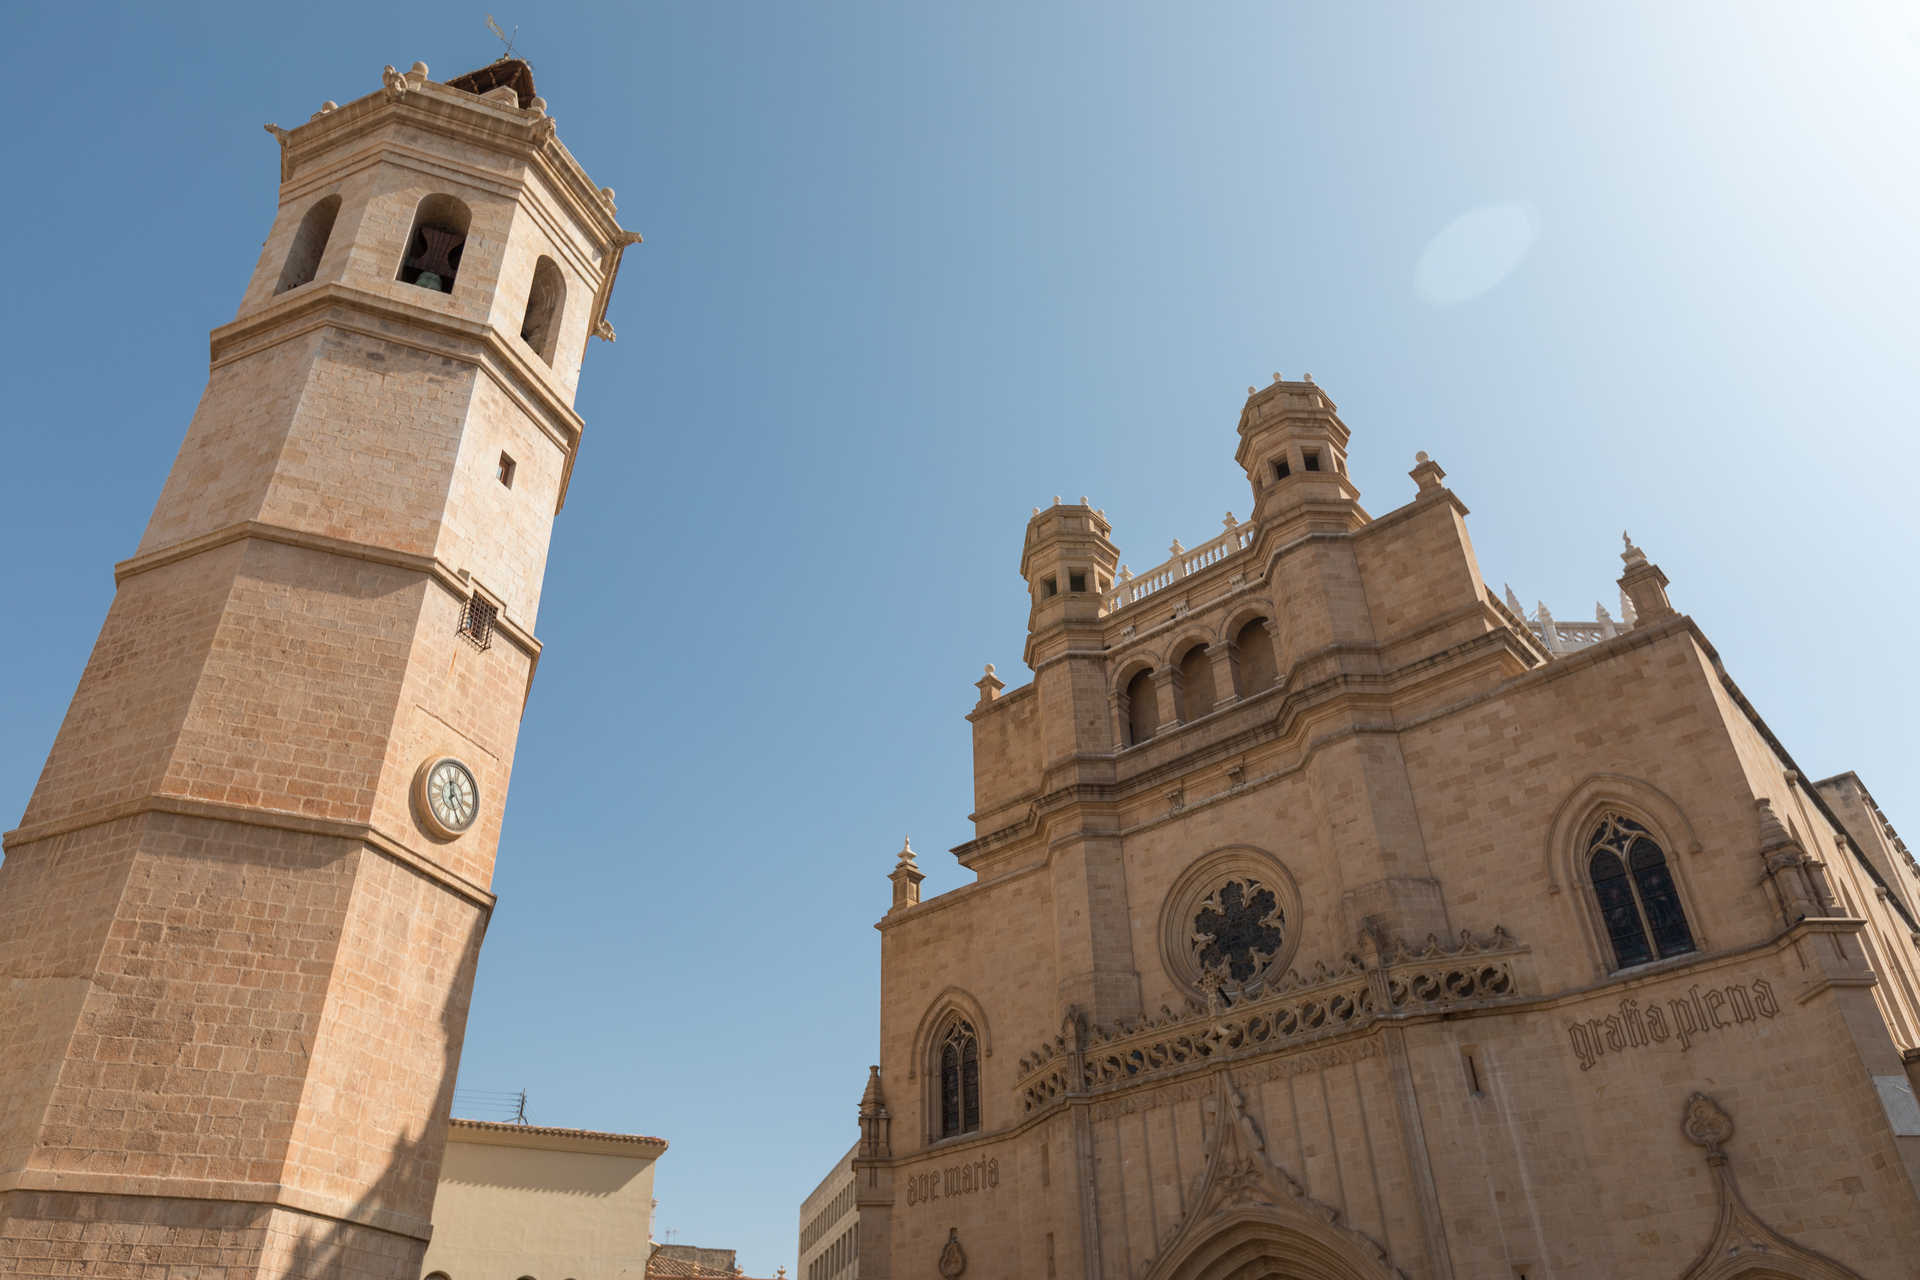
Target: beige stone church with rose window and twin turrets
x=1333, y=920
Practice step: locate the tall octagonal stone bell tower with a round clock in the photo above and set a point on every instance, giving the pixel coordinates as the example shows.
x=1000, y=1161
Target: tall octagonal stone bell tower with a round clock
x=241, y=916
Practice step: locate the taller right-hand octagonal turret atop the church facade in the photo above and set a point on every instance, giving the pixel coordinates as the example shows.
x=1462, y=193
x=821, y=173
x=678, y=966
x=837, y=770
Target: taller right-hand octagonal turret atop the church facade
x=1293, y=448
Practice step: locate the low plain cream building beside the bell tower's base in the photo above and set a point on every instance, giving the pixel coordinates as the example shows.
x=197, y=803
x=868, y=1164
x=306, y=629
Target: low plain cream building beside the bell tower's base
x=542, y=1204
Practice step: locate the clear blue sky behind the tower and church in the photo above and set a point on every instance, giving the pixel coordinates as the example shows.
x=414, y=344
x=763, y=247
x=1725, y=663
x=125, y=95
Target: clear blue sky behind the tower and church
x=915, y=270
